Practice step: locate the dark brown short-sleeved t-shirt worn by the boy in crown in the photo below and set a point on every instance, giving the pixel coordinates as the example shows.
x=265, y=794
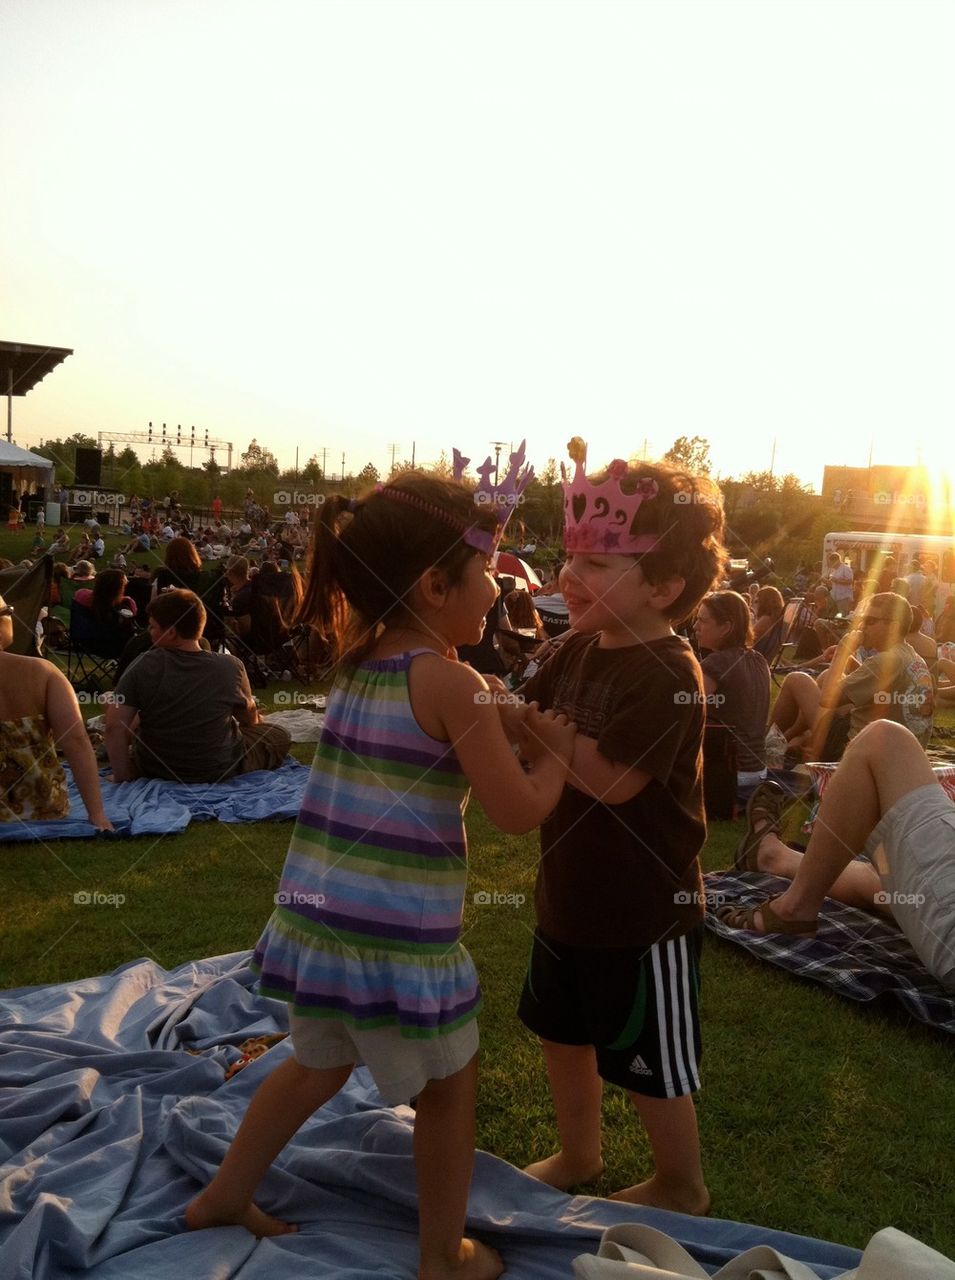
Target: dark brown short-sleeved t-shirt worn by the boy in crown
x=627, y=875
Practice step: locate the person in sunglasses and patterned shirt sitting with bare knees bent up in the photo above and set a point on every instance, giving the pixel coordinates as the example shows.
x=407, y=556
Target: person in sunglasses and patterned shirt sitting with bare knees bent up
x=875, y=675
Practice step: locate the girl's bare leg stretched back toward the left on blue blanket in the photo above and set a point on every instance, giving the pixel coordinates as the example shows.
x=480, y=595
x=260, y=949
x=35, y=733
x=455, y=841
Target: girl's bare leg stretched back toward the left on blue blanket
x=281, y=1107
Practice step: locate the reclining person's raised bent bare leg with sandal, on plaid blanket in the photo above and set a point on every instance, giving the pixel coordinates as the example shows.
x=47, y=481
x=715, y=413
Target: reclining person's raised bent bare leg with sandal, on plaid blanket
x=881, y=765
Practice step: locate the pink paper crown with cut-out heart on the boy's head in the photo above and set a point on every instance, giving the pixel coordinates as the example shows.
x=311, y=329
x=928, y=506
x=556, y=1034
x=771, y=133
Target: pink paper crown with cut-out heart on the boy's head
x=598, y=518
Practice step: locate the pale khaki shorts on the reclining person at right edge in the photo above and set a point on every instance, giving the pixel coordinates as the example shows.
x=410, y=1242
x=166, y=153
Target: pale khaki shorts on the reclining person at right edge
x=913, y=851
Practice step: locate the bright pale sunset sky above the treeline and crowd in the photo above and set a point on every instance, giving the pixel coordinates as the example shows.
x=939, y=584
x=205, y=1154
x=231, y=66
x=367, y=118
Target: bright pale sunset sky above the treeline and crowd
x=354, y=226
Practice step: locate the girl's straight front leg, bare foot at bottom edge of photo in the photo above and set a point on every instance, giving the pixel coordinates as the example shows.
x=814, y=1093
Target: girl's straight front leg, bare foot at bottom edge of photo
x=444, y=1162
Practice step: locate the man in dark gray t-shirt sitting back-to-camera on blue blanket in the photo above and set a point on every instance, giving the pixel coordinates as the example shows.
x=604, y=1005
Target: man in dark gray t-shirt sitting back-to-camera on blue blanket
x=186, y=715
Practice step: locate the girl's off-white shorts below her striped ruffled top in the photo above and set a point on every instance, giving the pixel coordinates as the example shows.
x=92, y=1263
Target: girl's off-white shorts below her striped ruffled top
x=400, y=1067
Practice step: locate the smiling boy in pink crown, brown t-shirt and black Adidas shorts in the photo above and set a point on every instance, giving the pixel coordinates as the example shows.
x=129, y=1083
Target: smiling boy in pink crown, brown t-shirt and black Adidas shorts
x=613, y=982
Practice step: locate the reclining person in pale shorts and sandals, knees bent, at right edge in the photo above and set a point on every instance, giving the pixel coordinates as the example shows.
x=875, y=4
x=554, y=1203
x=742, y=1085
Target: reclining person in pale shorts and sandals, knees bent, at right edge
x=884, y=801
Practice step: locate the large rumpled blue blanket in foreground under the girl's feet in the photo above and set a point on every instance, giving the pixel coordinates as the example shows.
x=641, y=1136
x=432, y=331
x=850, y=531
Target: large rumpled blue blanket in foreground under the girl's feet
x=115, y=1110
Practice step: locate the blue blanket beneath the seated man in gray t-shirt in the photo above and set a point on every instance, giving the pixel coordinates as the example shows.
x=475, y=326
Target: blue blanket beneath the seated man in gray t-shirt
x=153, y=808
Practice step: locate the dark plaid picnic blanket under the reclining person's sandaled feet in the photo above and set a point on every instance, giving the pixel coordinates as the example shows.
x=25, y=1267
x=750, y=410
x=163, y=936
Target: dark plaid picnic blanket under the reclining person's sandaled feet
x=856, y=954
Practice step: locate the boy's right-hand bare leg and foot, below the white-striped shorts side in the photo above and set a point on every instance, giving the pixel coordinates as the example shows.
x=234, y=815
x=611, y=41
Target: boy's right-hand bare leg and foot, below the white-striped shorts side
x=678, y=1180
